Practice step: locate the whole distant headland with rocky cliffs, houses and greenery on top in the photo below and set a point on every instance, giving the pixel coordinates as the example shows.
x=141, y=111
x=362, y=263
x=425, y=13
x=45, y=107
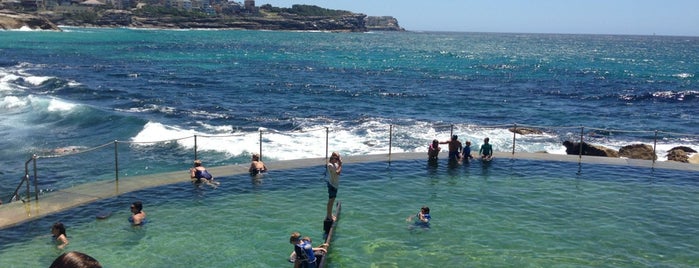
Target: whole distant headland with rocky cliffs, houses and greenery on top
x=299, y=18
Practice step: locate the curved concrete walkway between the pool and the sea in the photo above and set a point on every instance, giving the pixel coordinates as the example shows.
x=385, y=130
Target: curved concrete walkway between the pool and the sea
x=18, y=212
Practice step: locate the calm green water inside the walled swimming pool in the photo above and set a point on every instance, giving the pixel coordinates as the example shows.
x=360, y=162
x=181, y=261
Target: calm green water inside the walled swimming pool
x=509, y=212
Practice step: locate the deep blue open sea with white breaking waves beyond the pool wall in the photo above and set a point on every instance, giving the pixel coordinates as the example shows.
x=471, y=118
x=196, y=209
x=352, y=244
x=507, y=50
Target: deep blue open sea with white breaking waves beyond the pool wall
x=85, y=88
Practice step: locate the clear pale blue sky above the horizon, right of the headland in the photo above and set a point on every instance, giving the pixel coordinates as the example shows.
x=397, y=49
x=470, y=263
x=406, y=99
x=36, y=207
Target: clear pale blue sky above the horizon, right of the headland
x=628, y=17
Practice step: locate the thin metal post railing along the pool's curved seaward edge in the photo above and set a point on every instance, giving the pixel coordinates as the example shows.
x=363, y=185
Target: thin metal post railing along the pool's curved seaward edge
x=26, y=179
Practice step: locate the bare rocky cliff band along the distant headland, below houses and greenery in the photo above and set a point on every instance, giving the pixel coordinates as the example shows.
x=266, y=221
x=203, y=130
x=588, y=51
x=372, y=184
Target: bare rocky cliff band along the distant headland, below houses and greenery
x=120, y=18
